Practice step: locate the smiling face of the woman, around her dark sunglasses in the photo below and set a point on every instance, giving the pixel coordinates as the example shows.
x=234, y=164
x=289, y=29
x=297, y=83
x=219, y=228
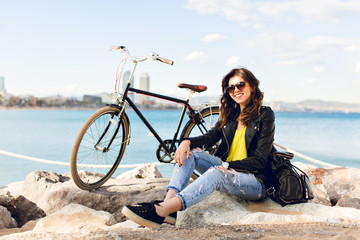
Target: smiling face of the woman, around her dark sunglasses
x=242, y=95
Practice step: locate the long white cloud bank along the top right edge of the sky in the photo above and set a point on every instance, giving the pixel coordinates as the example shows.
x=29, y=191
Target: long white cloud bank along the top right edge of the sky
x=248, y=12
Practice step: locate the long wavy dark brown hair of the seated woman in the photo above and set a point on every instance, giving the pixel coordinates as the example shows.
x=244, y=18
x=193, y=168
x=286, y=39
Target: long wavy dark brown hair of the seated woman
x=229, y=109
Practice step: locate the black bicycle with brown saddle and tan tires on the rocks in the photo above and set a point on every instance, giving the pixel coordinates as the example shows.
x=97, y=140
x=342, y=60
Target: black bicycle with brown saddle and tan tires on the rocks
x=102, y=140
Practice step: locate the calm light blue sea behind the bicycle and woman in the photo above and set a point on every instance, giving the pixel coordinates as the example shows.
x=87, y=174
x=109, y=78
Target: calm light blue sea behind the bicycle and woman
x=49, y=134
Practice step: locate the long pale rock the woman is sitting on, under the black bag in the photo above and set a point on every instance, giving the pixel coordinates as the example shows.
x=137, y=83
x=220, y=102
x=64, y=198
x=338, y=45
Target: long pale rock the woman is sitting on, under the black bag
x=221, y=208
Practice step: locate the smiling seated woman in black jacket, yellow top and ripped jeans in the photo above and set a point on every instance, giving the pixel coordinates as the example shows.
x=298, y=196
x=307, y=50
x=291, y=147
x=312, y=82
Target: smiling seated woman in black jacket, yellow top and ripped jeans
x=238, y=167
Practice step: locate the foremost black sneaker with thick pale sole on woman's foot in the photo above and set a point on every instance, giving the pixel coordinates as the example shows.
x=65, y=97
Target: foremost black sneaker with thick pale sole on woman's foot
x=143, y=214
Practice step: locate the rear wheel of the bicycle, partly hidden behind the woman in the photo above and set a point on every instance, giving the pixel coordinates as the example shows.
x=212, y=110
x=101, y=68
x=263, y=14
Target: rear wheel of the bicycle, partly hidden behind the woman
x=209, y=116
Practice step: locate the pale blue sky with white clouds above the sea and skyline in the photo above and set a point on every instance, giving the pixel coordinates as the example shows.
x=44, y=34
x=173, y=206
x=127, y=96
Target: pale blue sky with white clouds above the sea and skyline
x=298, y=49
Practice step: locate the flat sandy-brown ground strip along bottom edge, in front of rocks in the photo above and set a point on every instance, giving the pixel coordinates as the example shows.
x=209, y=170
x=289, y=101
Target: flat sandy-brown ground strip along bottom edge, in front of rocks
x=254, y=231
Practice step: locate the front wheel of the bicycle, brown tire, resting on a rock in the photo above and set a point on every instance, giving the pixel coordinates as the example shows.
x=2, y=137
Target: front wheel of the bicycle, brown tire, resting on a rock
x=99, y=147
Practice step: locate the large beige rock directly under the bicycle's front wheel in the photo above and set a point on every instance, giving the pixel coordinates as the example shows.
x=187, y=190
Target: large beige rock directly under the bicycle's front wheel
x=52, y=191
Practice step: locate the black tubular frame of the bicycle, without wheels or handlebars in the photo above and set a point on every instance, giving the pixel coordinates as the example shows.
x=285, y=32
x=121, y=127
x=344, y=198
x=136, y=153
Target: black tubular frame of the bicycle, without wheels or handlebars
x=153, y=131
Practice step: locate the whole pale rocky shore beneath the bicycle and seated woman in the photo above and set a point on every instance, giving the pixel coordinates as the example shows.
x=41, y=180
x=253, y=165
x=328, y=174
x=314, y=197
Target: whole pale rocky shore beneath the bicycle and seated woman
x=48, y=205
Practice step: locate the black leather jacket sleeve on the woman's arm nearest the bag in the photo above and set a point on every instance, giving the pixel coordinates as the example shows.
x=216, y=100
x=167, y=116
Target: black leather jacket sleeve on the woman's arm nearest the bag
x=258, y=160
